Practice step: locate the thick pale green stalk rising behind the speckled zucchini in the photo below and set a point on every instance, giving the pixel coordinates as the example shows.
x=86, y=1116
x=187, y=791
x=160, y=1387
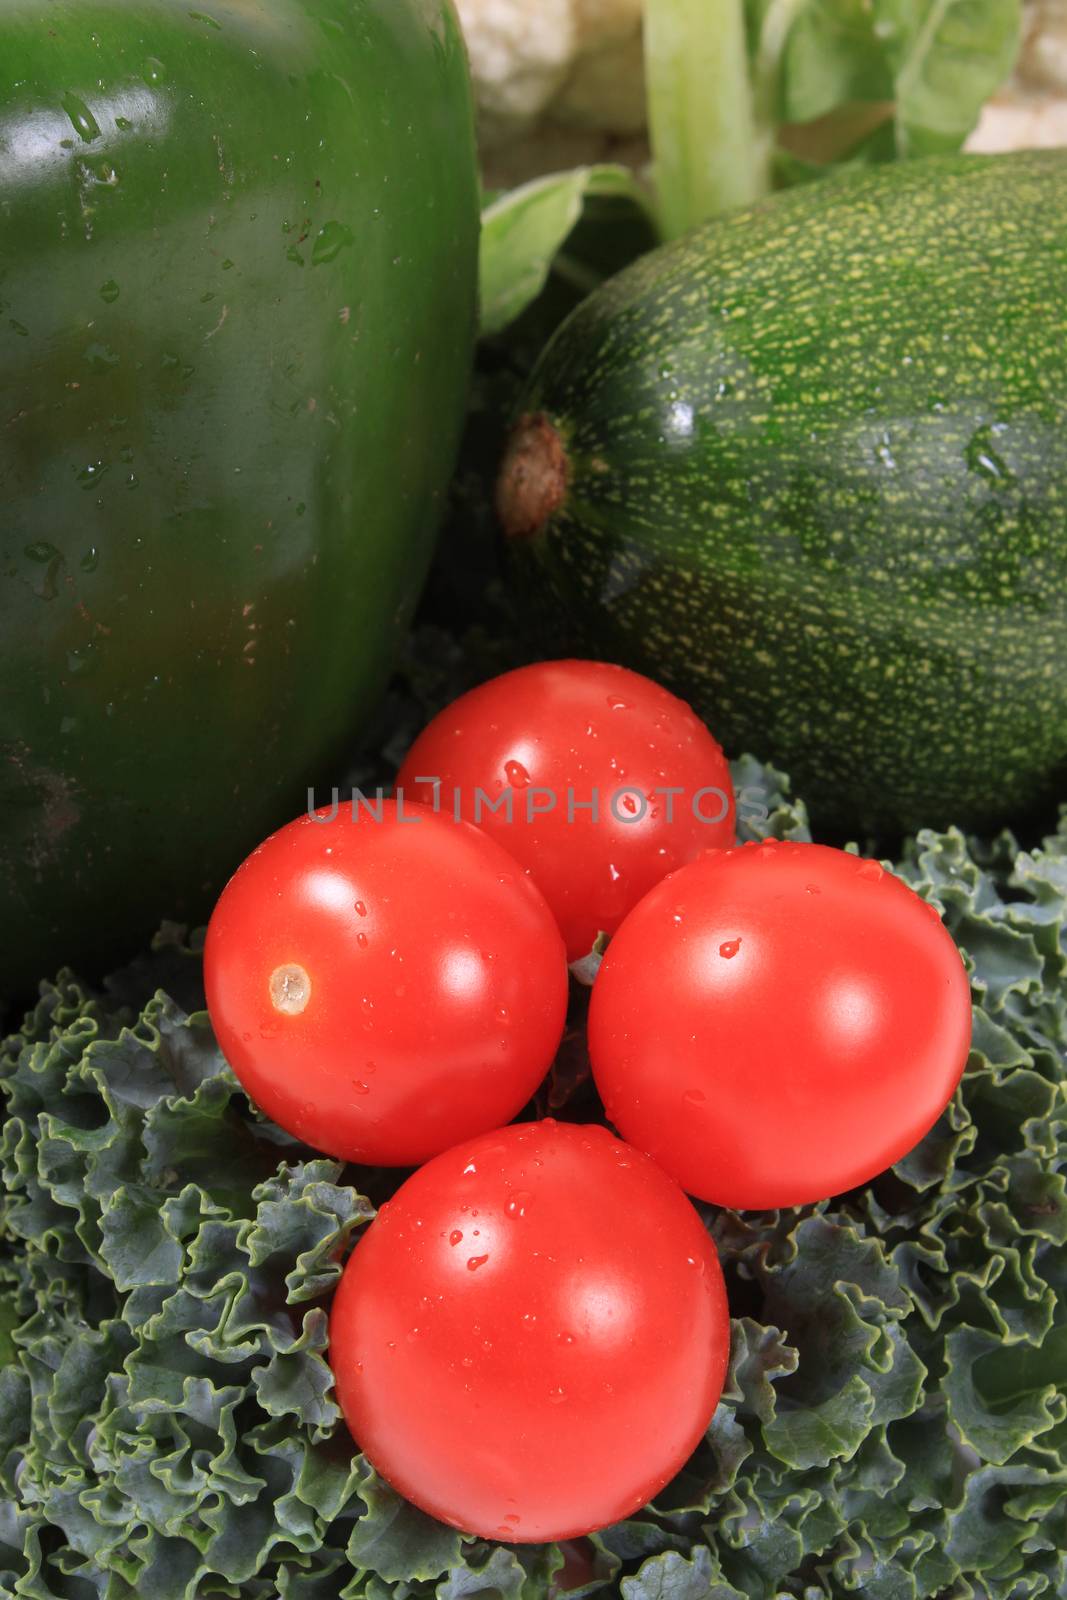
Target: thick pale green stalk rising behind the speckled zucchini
x=709, y=151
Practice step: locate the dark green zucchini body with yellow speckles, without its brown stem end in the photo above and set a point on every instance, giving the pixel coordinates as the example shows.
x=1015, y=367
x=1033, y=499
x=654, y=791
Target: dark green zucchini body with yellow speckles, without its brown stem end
x=818, y=484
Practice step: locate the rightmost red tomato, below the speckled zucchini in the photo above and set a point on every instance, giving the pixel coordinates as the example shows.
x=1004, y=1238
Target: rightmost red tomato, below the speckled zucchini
x=780, y=1023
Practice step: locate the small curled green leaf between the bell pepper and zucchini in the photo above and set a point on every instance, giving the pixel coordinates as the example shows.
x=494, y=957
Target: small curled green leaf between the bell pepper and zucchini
x=526, y=230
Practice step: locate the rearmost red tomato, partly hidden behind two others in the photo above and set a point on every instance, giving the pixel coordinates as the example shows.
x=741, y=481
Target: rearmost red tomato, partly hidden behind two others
x=545, y=742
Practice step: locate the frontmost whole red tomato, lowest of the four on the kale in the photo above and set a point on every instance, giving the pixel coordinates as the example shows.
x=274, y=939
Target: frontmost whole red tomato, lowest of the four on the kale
x=532, y=1337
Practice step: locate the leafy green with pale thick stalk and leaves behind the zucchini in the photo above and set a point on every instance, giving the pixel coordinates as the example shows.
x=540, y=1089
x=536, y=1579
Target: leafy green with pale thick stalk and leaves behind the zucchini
x=754, y=94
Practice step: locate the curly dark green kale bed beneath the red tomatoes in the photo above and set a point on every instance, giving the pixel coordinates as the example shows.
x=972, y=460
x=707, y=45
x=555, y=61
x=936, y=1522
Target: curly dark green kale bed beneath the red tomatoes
x=895, y=1423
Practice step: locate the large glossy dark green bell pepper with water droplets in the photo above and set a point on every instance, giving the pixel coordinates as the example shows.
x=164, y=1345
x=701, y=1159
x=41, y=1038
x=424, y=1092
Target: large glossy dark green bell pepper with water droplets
x=238, y=310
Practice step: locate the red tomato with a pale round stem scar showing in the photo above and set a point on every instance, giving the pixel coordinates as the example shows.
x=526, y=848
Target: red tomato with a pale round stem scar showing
x=385, y=988
